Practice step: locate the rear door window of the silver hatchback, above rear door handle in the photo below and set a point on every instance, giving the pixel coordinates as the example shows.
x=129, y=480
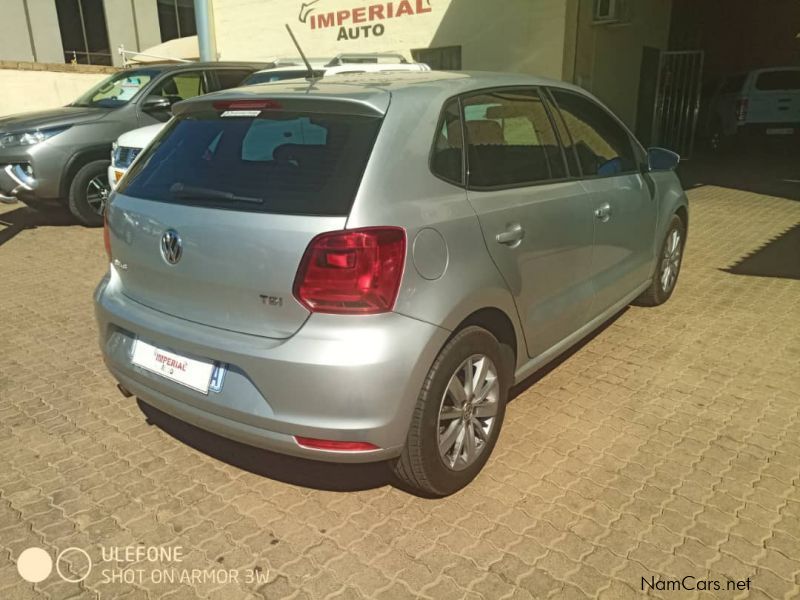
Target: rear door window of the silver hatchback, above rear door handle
x=510, y=140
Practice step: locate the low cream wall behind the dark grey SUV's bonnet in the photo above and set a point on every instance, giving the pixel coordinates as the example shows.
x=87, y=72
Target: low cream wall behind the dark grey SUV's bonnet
x=25, y=91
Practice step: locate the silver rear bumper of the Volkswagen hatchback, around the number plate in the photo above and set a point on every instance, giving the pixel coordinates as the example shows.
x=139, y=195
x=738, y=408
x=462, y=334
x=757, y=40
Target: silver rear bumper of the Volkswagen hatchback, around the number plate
x=338, y=378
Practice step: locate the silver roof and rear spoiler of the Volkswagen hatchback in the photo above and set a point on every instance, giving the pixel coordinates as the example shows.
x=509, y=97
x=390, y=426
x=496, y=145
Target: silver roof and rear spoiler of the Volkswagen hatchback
x=375, y=89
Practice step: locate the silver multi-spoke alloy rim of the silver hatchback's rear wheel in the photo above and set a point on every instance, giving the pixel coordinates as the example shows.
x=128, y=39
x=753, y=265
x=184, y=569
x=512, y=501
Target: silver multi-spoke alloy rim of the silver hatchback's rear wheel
x=468, y=411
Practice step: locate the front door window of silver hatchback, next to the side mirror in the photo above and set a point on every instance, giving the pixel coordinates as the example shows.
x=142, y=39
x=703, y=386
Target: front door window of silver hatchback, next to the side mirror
x=603, y=147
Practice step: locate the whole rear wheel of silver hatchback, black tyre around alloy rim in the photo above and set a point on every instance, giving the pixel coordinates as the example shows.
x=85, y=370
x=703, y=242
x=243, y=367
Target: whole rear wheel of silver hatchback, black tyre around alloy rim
x=422, y=467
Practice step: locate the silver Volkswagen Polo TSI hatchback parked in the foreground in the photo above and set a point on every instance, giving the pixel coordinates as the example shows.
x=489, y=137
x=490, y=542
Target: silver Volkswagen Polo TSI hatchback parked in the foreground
x=358, y=270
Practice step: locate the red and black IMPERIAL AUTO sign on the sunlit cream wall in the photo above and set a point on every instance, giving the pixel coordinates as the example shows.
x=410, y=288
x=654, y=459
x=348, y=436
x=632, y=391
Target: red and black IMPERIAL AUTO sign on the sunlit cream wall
x=360, y=21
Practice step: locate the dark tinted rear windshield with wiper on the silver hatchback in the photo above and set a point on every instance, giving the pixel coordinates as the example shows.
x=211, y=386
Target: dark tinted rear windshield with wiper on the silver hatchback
x=278, y=162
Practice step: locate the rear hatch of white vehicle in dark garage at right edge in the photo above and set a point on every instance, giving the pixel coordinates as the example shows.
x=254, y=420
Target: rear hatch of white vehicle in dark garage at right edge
x=775, y=97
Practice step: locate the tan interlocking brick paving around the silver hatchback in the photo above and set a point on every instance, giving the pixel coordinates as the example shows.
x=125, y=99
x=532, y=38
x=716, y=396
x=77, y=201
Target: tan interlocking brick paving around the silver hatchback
x=666, y=446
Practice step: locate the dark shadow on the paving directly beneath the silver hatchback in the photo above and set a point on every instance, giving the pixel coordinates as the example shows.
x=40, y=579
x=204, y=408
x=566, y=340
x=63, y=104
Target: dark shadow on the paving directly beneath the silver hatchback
x=312, y=474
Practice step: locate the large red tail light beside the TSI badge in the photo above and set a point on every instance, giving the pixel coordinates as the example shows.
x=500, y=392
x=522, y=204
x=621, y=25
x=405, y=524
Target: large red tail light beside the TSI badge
x=357, y=271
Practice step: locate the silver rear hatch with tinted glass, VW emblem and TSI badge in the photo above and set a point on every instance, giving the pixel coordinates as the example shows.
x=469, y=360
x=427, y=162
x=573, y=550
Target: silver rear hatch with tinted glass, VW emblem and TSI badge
x=212, y=221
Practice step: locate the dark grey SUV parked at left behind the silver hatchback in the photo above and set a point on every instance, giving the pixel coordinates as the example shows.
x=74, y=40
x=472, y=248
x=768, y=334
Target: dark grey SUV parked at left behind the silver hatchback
x=62, y=155
